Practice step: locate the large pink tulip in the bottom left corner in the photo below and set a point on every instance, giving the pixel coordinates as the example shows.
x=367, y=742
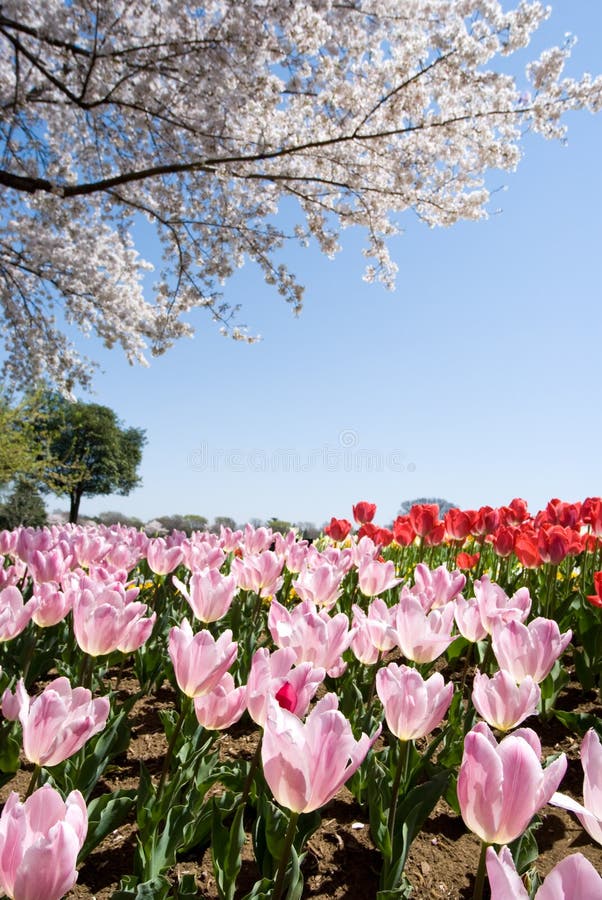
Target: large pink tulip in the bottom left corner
x=39, y=843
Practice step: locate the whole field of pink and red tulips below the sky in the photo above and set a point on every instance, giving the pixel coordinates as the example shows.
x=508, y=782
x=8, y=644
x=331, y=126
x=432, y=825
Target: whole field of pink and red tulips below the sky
x=384, y=713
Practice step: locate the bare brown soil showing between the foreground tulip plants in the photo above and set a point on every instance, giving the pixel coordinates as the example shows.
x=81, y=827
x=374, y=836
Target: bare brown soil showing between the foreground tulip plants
x=341, y=862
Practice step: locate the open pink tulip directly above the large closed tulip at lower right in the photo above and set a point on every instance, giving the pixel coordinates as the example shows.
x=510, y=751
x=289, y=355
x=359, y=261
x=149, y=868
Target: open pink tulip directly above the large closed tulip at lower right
x=501, y=702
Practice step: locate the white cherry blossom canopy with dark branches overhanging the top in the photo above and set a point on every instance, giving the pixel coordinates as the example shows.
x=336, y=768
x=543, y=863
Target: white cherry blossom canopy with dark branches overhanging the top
x=203, y=119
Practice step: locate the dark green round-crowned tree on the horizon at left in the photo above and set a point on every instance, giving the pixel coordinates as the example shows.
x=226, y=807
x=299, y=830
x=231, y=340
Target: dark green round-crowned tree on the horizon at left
x=87, y=451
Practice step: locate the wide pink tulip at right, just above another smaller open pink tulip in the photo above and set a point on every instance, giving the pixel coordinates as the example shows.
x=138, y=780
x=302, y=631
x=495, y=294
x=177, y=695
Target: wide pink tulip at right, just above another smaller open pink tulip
x=529, y=649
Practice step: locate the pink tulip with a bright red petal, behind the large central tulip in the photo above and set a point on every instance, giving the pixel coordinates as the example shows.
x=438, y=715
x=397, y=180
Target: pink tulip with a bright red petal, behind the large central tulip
x=270, y=672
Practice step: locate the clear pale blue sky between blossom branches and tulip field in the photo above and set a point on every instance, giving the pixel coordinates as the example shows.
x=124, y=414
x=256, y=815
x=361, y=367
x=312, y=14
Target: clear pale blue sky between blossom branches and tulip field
x=477, y=380
